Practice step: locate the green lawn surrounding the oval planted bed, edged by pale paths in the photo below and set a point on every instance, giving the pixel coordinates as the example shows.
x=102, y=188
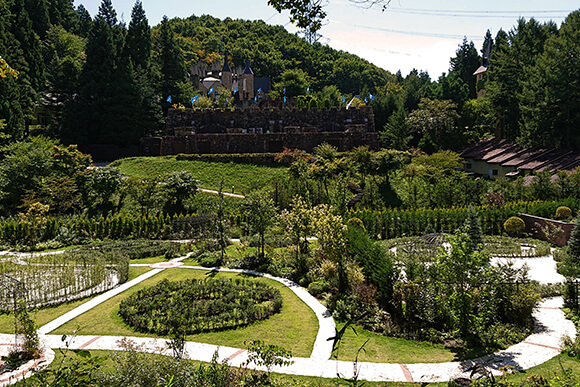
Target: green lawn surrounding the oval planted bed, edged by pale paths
x=294, y=328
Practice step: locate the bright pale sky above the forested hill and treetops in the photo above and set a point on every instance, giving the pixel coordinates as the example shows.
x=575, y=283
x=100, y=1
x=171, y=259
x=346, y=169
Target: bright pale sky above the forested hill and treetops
x=408, y=34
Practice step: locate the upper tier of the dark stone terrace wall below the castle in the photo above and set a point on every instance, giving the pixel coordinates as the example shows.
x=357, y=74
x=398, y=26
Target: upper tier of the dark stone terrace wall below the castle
x=187, y=121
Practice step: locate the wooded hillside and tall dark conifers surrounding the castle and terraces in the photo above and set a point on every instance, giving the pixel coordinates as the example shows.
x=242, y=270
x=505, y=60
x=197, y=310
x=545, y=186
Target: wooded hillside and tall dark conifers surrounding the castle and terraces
x=84, y=79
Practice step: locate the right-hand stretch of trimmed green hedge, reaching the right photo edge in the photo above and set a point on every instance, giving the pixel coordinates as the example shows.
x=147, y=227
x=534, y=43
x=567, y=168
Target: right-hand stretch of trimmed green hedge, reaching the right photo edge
x=394, y=223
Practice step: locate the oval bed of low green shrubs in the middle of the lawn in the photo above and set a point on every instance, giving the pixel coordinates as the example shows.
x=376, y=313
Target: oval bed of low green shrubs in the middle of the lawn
x=195, y=306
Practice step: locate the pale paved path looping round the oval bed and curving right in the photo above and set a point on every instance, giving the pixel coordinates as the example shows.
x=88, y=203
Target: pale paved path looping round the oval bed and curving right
x=542, y=345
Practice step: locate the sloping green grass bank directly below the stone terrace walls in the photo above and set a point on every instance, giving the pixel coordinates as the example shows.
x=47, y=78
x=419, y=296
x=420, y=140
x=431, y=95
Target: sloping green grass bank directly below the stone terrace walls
x=243, y=177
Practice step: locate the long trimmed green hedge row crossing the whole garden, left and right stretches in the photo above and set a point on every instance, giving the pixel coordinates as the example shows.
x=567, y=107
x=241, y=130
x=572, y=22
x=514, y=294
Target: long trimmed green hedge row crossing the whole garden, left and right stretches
x=386, y=224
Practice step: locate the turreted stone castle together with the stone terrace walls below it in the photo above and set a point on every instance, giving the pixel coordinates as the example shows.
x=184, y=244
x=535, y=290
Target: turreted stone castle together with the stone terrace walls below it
x=250, y=129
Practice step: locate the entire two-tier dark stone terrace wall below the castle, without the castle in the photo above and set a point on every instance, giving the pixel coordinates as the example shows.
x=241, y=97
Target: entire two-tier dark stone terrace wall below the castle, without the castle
x=262, y=131
